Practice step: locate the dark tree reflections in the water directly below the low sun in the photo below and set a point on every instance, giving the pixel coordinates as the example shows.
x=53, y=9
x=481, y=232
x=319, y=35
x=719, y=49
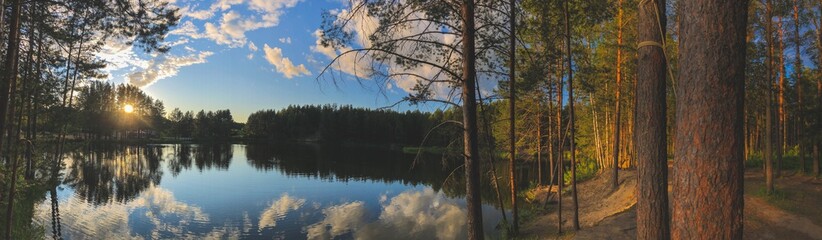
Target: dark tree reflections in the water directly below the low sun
x=101, y=174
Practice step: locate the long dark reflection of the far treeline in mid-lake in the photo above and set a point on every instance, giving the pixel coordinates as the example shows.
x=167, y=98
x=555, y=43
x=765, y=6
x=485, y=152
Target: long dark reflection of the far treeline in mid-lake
x=344, y=164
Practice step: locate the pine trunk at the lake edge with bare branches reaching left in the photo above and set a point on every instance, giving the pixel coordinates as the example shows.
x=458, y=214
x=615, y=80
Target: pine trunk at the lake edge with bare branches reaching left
x=469, y=117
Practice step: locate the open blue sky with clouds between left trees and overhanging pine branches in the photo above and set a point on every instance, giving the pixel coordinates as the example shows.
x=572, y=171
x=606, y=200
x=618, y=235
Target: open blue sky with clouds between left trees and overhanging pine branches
x=245, y=55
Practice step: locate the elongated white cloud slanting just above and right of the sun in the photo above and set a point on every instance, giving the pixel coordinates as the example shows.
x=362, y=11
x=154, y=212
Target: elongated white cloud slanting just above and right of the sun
x=164, y=66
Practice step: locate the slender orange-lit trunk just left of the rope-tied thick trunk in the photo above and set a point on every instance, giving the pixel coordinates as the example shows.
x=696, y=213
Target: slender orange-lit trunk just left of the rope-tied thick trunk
x=617, y=89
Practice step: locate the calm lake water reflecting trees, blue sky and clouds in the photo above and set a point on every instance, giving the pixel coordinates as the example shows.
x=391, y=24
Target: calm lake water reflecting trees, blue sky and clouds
x=256, y=192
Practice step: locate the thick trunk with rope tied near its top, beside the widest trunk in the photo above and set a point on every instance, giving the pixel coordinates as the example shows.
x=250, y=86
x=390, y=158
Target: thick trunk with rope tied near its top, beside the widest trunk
x=653, y=220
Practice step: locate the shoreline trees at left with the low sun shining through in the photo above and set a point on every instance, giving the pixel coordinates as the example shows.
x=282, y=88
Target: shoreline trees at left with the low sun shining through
x=100, y=115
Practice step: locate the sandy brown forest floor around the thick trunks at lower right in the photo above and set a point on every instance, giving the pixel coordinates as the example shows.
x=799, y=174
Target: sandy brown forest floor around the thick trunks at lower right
x=793, y=212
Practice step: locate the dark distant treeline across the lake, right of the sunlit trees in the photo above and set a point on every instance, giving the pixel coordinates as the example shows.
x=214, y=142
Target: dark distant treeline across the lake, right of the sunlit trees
x=335, y=124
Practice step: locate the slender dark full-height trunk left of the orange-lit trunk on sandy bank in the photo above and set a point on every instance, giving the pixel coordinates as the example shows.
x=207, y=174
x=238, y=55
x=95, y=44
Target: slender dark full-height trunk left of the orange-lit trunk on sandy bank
x=571, y=101
